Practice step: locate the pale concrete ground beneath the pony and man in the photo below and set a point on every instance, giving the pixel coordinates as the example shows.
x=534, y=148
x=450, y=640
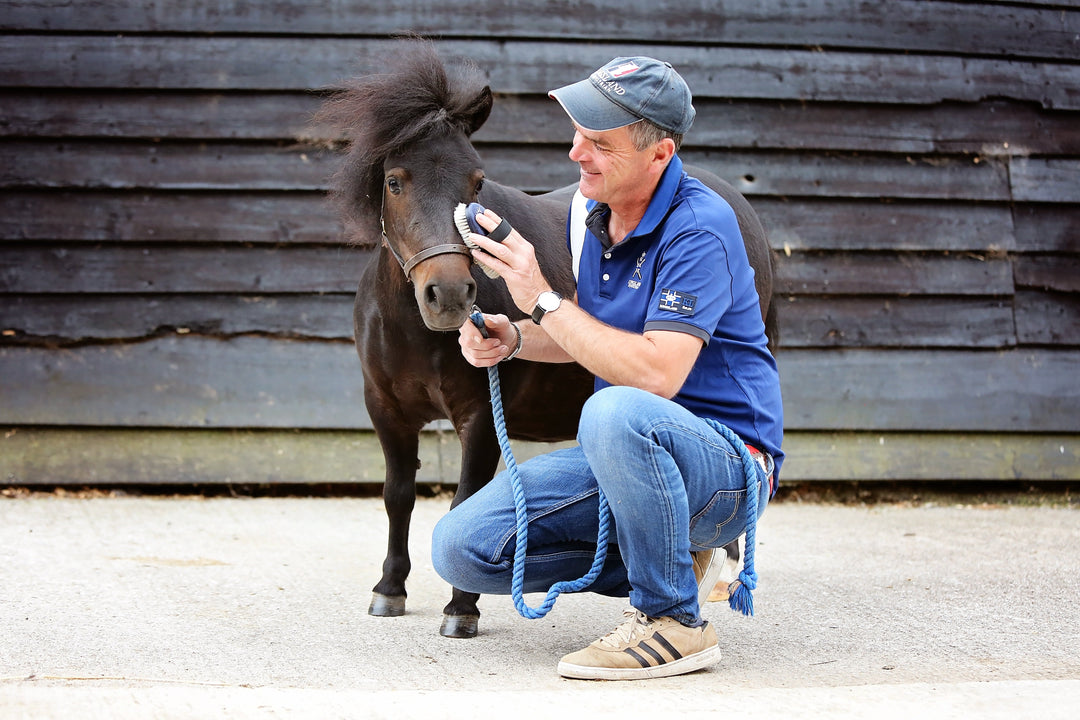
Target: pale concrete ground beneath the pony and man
x=148, y=607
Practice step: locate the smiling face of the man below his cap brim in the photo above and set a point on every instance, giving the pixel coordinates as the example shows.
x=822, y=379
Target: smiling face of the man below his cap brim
x=612, y=168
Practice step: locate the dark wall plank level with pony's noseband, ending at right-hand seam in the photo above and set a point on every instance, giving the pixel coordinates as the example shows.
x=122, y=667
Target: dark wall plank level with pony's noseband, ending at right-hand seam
x=140, y=269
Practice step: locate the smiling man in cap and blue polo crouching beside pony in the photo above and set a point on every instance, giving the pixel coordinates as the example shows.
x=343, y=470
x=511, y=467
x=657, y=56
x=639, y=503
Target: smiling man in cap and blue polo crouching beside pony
x=668, y=320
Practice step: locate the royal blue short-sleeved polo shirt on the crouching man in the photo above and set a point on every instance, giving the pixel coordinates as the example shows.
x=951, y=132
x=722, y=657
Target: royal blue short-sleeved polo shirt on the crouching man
x=685, y=269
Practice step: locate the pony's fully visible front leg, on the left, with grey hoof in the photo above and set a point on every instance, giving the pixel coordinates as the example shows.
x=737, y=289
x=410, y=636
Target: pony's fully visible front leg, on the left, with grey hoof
x=400, y=451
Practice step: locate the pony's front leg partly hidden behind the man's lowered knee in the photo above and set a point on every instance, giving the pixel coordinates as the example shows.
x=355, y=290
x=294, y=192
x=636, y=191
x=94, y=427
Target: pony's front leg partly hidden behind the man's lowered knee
x=480, y=458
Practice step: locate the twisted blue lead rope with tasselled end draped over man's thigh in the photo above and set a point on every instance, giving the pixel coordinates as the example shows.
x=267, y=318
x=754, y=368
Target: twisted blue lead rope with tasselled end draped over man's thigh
x=741, y=600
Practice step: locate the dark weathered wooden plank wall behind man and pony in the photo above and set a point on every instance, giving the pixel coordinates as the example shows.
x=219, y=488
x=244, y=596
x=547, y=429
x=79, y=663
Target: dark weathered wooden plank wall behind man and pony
x=175, y=295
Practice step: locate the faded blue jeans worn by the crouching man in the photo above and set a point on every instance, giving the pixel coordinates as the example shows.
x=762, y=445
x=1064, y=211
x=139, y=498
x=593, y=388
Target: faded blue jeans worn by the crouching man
x=673, y=485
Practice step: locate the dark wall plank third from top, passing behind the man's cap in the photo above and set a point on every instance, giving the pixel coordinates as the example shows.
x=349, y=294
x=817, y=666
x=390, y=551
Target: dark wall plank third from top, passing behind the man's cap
x=993, y=128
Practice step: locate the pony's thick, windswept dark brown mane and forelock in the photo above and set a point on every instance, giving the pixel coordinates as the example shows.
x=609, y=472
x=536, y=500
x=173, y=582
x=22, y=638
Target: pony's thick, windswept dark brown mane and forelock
x=380, y=114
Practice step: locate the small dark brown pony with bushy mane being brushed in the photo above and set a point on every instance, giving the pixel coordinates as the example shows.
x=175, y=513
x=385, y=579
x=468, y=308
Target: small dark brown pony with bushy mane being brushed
x=410, y=164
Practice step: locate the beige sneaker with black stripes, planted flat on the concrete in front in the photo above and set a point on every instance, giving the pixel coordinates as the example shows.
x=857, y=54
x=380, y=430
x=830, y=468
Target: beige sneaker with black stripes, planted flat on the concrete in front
x=643, y=648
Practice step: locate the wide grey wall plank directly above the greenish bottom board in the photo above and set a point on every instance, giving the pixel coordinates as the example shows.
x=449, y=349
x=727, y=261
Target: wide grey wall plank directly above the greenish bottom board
x=194, y=382
